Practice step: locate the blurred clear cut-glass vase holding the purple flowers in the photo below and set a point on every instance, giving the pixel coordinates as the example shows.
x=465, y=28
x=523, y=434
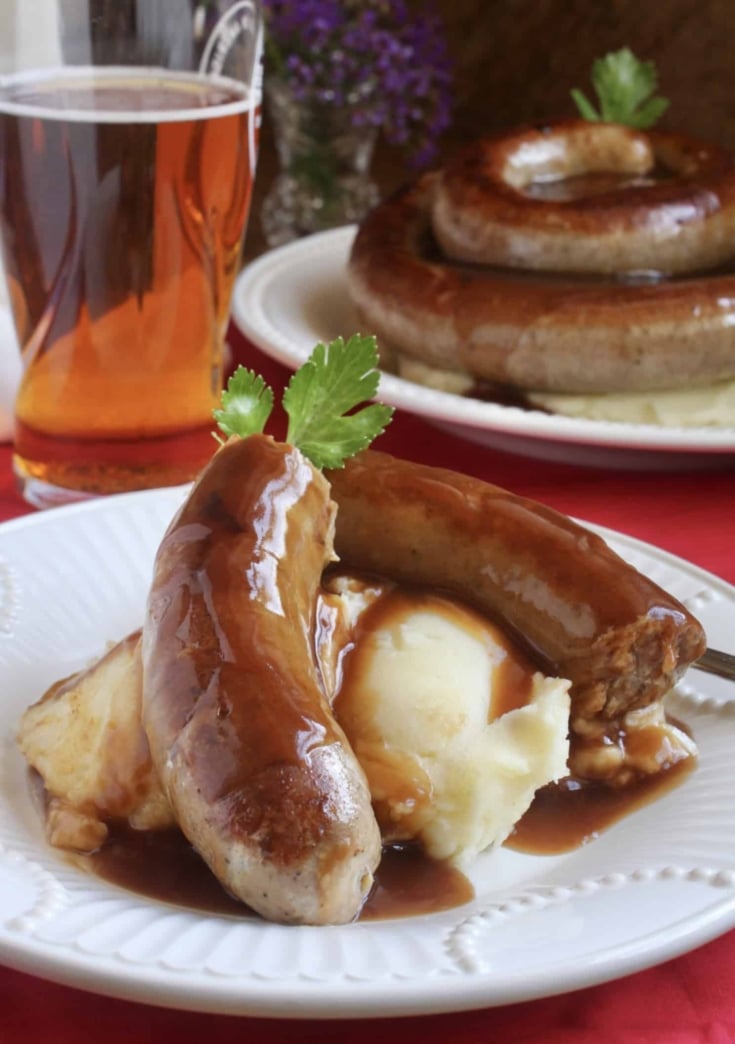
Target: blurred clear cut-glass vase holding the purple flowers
x=325, y=151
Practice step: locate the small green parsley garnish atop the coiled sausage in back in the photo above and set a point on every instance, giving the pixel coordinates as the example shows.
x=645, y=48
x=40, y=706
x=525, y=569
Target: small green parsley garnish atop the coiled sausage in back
x=625, y=87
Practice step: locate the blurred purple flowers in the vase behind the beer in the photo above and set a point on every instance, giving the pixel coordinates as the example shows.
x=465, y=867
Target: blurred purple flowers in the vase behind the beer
x=369, y=52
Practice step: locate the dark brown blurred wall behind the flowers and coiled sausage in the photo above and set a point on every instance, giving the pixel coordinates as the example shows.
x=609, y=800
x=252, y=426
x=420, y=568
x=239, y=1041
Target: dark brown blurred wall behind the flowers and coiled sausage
x=516, y=62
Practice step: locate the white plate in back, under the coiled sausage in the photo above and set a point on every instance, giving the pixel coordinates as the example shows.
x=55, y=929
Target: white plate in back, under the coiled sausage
x=296, y=296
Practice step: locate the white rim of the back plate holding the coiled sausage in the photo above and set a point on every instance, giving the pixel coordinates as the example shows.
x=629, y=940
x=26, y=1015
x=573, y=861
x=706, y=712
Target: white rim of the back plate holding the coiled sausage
x=258, y=278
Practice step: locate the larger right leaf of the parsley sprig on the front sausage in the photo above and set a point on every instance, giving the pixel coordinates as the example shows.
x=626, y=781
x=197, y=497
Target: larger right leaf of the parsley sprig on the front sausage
x=334, y=381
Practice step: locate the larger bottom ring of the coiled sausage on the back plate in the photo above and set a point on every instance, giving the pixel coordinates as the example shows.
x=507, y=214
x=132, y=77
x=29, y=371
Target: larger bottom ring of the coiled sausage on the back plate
x=531, y=330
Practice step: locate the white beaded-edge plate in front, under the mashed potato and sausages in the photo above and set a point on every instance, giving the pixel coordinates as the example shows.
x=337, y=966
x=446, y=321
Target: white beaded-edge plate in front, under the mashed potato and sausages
x=657, y=885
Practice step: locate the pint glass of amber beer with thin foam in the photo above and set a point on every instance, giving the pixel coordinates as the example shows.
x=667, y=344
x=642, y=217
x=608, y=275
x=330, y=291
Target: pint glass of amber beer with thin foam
x=128, y=149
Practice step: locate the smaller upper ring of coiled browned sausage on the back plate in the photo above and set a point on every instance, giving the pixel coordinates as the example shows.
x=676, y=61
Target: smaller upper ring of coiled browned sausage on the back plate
x=657, y=202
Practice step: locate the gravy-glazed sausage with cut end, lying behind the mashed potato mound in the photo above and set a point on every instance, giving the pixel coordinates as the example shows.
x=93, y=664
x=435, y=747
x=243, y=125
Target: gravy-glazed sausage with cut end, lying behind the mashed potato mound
x=577, y=608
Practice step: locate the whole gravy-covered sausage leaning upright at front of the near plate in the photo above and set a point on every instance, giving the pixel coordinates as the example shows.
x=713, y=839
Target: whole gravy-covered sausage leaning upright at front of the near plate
x=260, y=776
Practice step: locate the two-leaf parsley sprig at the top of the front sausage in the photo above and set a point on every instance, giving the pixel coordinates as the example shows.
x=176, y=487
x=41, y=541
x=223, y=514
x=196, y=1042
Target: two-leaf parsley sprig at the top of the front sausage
x=320, y=401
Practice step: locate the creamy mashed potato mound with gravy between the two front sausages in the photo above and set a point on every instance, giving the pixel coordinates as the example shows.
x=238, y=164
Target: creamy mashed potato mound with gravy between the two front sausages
x=428, y=703
